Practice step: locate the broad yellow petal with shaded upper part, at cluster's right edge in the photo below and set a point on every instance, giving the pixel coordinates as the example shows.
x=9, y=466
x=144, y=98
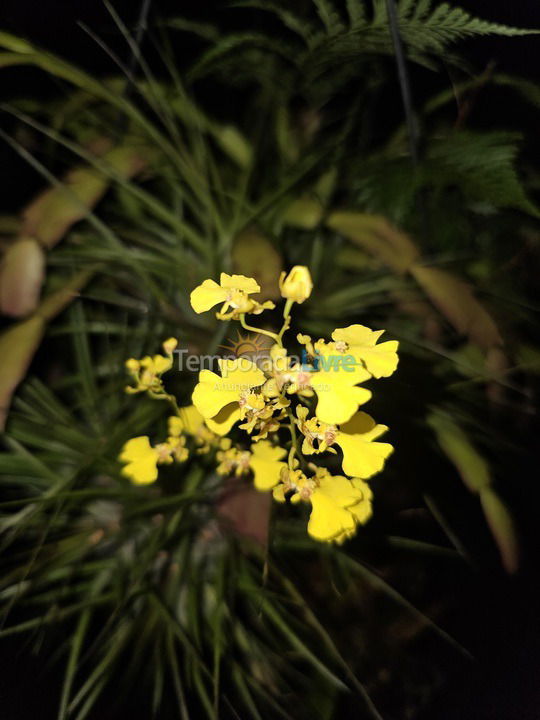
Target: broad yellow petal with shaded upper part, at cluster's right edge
x=362, y=457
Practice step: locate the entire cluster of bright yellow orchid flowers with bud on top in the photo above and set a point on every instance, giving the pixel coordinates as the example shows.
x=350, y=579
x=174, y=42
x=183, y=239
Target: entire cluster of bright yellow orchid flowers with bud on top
x=290, y=411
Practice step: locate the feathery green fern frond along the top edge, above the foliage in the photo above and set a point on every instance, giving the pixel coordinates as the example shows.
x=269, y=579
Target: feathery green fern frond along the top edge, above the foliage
x=427, y=32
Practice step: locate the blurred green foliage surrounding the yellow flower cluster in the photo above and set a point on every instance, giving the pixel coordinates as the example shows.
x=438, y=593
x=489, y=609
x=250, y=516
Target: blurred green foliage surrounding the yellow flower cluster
x=150, y=190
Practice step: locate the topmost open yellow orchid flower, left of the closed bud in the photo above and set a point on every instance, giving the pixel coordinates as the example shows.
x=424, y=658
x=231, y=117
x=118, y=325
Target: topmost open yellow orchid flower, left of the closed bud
x=232, y=292
